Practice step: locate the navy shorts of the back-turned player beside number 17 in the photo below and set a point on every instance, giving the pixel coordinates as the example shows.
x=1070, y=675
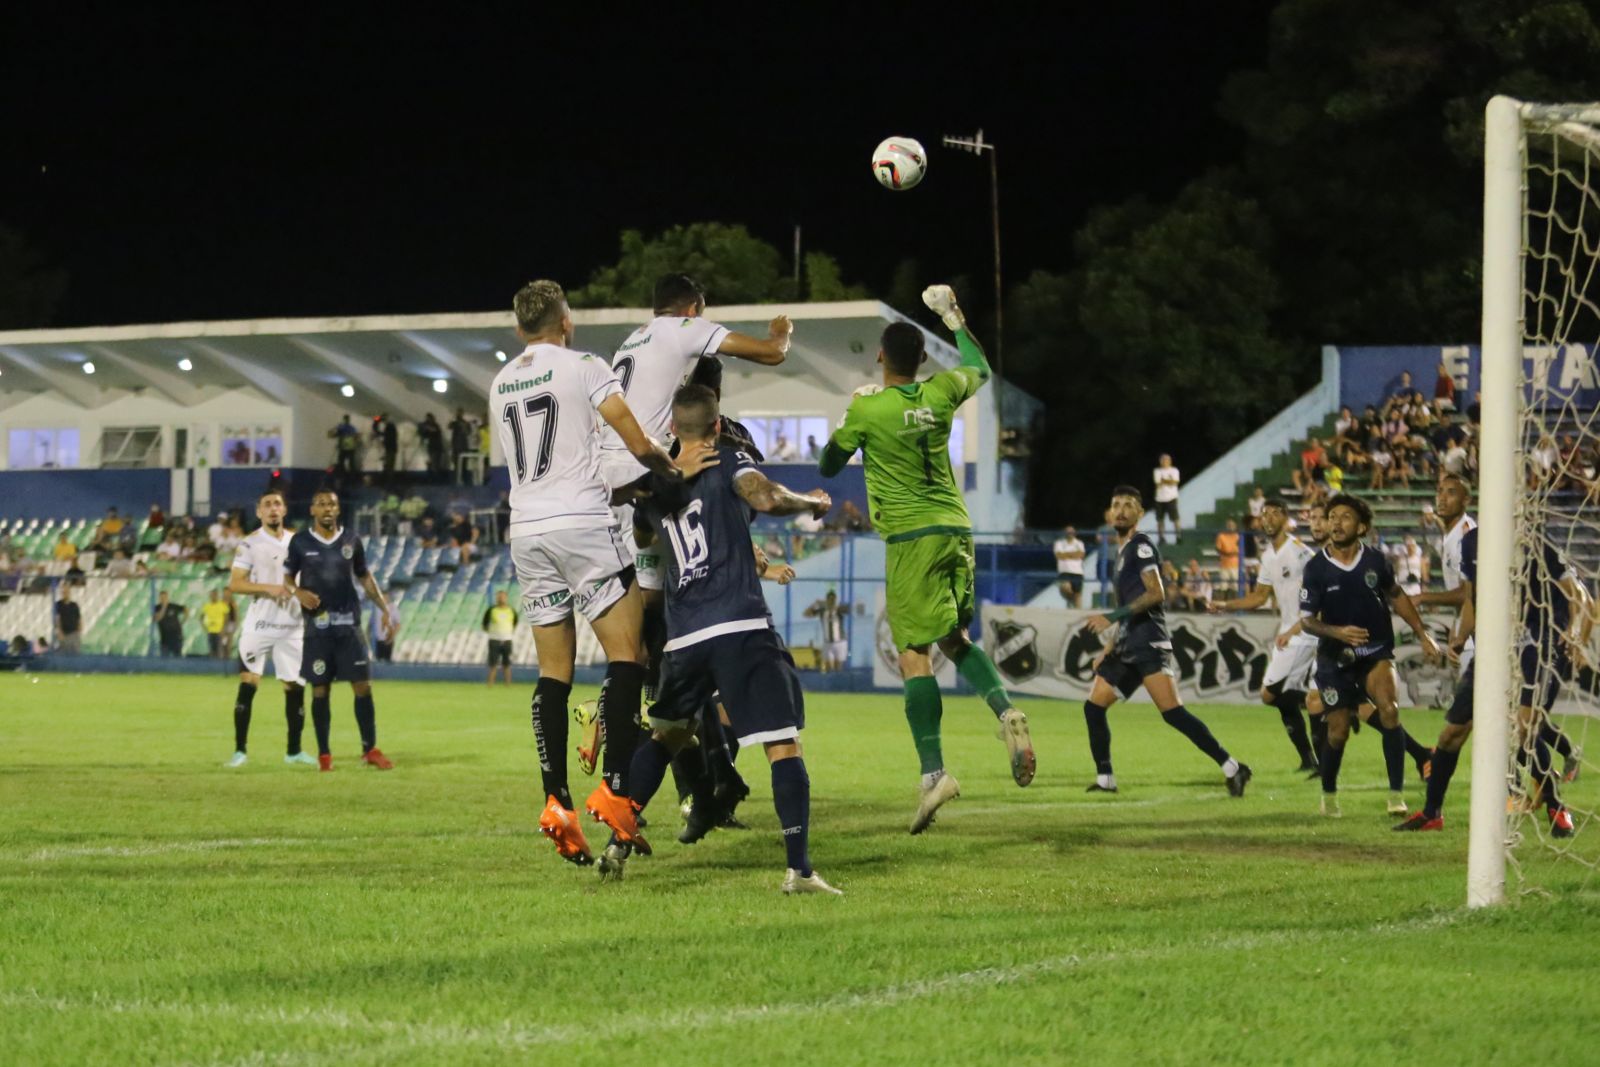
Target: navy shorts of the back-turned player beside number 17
x=751, y=673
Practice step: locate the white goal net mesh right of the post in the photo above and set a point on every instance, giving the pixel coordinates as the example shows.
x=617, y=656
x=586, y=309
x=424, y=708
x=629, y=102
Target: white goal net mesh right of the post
x=1558, y=518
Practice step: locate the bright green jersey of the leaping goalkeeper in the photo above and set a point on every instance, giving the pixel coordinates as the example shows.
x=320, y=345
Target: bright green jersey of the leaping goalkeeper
x=905, y=434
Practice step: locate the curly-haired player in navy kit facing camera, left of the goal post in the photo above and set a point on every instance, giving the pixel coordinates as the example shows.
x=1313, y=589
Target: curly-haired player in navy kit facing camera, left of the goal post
x=1346, y=594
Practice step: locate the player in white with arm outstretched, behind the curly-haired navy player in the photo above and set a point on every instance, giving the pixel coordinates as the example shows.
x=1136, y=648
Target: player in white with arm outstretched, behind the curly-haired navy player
x=1294, y=653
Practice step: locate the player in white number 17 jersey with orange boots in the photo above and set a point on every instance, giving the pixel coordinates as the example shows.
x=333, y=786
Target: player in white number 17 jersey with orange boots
x=548, y=406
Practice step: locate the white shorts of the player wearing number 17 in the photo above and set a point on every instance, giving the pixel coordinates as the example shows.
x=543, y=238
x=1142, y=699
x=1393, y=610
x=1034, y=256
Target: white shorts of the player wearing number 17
x=569, y=567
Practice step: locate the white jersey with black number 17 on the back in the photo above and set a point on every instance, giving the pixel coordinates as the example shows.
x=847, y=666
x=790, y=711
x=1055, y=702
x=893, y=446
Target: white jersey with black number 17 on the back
x=546, y=406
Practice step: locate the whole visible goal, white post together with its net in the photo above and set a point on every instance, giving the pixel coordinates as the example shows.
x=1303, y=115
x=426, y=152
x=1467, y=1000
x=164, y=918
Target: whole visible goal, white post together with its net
x=1534, y=797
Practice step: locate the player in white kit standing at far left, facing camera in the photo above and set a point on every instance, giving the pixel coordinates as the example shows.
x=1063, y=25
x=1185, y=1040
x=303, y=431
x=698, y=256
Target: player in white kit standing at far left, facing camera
x=273, y=628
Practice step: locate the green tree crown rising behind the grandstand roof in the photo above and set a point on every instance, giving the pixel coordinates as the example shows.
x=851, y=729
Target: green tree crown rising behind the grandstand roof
x=735, y=268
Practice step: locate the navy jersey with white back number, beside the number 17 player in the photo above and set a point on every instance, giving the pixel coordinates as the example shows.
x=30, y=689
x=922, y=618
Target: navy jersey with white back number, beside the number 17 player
x=703, y=530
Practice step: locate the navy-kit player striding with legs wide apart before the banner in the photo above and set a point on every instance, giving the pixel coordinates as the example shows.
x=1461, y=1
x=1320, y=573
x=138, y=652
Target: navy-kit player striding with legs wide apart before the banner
x=1142, y=652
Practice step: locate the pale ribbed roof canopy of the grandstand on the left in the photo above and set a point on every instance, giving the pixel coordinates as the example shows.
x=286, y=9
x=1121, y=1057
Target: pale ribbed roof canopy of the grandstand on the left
x=394, y=361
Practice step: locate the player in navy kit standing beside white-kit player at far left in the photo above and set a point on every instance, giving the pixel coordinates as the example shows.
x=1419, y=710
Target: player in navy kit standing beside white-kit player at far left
x=321, y=570
